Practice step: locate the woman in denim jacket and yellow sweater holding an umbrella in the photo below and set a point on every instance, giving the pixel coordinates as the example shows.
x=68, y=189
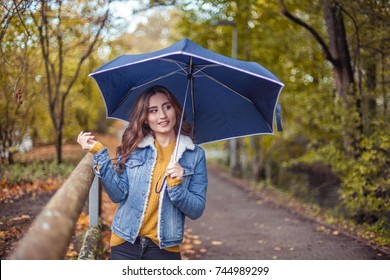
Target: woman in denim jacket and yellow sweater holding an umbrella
x=153, y=192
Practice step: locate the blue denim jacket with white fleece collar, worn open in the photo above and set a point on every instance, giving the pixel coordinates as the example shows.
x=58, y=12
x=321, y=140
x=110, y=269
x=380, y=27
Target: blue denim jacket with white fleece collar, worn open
x=130, y=189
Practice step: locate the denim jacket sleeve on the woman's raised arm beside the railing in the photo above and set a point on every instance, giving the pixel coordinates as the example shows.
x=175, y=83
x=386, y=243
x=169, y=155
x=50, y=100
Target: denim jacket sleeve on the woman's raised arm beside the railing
x=114, y=184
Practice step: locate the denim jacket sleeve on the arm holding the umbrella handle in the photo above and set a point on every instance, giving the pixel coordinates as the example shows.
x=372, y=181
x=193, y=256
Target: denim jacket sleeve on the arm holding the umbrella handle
x=191, y=200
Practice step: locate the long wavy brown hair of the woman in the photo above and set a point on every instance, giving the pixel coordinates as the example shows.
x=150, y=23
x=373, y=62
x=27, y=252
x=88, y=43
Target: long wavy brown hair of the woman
x=138, y=129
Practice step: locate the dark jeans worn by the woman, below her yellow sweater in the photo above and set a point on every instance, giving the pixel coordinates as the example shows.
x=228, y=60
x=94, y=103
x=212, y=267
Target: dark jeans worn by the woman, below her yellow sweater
x=142, y=249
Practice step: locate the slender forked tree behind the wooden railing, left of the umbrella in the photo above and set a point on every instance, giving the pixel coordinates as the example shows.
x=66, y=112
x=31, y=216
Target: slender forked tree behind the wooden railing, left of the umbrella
x=55, y=57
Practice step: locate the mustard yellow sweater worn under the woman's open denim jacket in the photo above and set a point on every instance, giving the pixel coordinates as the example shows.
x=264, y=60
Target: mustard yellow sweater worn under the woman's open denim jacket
x=150, y=220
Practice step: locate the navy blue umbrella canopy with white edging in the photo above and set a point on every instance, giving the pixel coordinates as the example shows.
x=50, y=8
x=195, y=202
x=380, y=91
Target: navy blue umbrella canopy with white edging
x=222, y=97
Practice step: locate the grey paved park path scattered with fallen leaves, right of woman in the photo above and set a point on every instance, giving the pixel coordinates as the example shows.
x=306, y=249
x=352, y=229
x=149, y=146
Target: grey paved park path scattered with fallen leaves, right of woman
x=239, y=223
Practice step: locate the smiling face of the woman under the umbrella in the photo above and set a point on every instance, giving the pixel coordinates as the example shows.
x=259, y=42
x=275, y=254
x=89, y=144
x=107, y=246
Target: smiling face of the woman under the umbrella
x=161, y=115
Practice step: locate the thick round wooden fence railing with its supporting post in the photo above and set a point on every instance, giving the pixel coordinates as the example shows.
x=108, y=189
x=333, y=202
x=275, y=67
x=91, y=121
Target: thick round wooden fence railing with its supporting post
x=49, y=236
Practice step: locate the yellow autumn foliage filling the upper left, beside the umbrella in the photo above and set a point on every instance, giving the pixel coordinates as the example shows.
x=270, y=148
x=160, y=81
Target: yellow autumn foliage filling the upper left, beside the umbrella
x=67, y=47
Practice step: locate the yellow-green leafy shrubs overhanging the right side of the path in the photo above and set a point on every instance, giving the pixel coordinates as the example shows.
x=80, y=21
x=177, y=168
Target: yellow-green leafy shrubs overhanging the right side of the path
x=363, y=170
